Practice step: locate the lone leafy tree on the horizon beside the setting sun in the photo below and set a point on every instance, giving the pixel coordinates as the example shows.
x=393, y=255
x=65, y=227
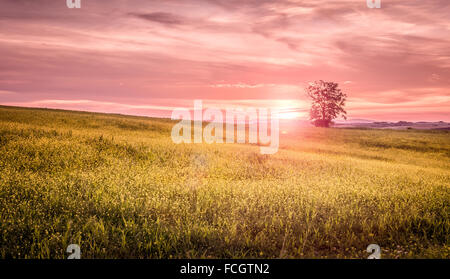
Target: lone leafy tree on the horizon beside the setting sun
x=328, y=102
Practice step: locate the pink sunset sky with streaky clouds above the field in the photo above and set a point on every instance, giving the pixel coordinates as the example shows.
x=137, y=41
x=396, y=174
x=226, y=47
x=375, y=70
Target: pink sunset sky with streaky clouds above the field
x=148, y=57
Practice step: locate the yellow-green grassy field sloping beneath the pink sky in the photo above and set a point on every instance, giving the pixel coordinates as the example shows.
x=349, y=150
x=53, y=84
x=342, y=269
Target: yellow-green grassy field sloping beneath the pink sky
x=118, y=187
